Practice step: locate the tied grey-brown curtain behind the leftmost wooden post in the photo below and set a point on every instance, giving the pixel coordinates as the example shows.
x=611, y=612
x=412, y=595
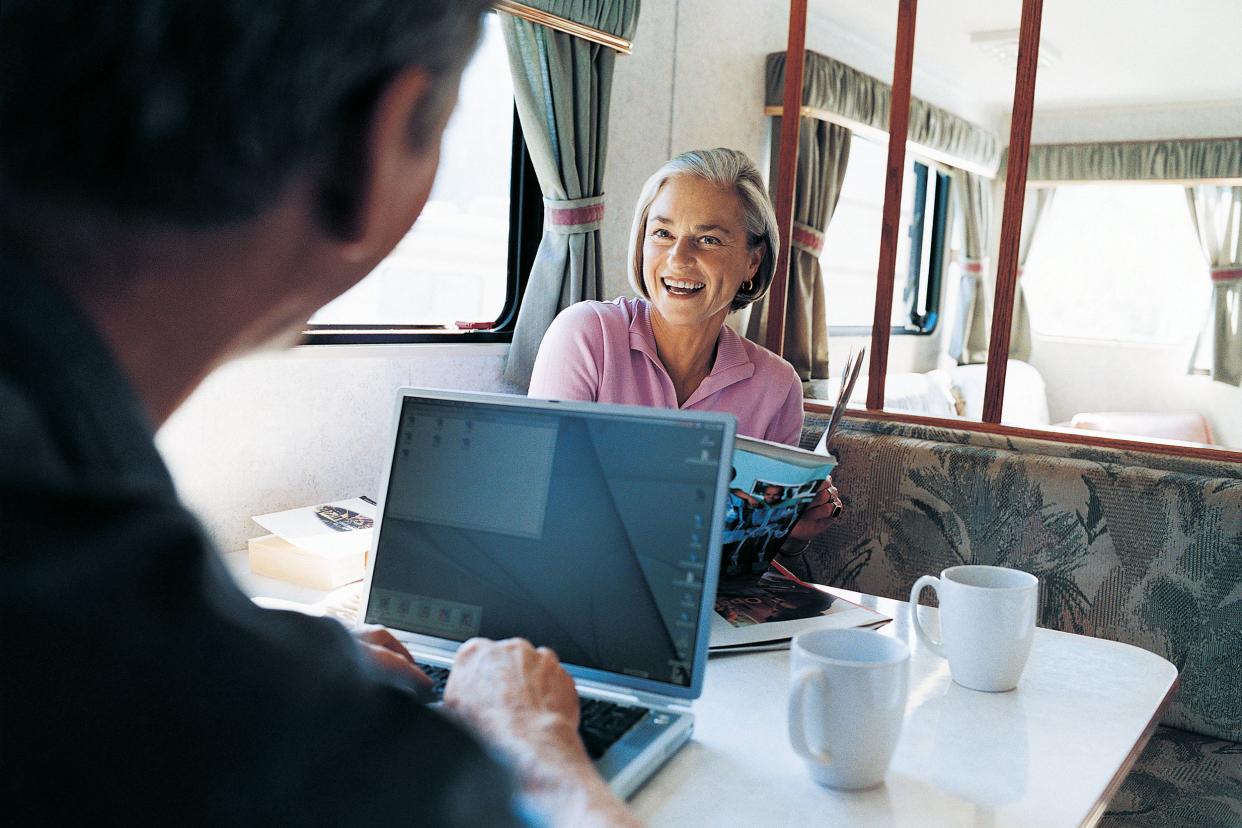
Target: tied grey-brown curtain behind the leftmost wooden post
x=823, y=155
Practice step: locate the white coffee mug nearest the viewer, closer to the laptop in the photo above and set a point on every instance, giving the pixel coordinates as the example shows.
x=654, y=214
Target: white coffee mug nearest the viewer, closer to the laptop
x=846, y=704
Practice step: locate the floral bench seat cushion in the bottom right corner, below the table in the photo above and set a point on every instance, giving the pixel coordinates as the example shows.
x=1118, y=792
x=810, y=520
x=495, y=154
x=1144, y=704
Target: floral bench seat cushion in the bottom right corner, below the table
x=1182, y=779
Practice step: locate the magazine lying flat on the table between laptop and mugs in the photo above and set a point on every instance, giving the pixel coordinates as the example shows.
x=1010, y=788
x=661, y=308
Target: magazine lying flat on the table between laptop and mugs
x=771, y=611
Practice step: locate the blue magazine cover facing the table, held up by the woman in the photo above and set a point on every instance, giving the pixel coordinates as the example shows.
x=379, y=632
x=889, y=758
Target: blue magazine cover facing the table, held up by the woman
x=772, y=487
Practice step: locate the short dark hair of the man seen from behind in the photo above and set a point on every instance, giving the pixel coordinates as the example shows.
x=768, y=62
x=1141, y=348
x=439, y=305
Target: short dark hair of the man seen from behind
x=199, y=111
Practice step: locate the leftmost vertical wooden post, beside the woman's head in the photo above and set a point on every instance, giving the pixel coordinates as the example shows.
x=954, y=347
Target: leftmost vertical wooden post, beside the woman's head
x=787, y=176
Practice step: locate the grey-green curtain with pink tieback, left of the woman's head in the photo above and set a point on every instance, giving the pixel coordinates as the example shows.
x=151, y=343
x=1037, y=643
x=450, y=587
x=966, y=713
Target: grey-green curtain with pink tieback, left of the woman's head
x=562, y=86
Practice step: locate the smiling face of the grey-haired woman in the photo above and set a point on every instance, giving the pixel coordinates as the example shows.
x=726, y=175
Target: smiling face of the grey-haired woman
x=696, y=253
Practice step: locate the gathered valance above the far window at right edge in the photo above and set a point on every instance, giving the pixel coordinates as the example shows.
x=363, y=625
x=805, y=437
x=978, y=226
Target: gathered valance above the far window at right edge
x=1161, y=161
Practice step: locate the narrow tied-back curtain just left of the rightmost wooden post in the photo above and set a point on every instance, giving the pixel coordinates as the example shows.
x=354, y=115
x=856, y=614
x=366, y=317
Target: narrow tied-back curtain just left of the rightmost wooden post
x=968, y=342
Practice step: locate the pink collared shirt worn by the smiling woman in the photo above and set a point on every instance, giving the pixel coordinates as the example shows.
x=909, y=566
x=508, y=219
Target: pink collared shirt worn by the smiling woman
x=605, y=352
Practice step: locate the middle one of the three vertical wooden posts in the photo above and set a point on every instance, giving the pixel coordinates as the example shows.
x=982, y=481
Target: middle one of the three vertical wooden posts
x=899, y=128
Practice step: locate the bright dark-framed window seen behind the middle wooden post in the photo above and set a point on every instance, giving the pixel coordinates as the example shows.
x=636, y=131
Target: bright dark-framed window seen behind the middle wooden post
x=851, y=245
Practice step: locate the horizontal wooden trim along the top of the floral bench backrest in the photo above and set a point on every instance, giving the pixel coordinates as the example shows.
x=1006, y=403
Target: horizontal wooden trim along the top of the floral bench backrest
x=1051, y=434
